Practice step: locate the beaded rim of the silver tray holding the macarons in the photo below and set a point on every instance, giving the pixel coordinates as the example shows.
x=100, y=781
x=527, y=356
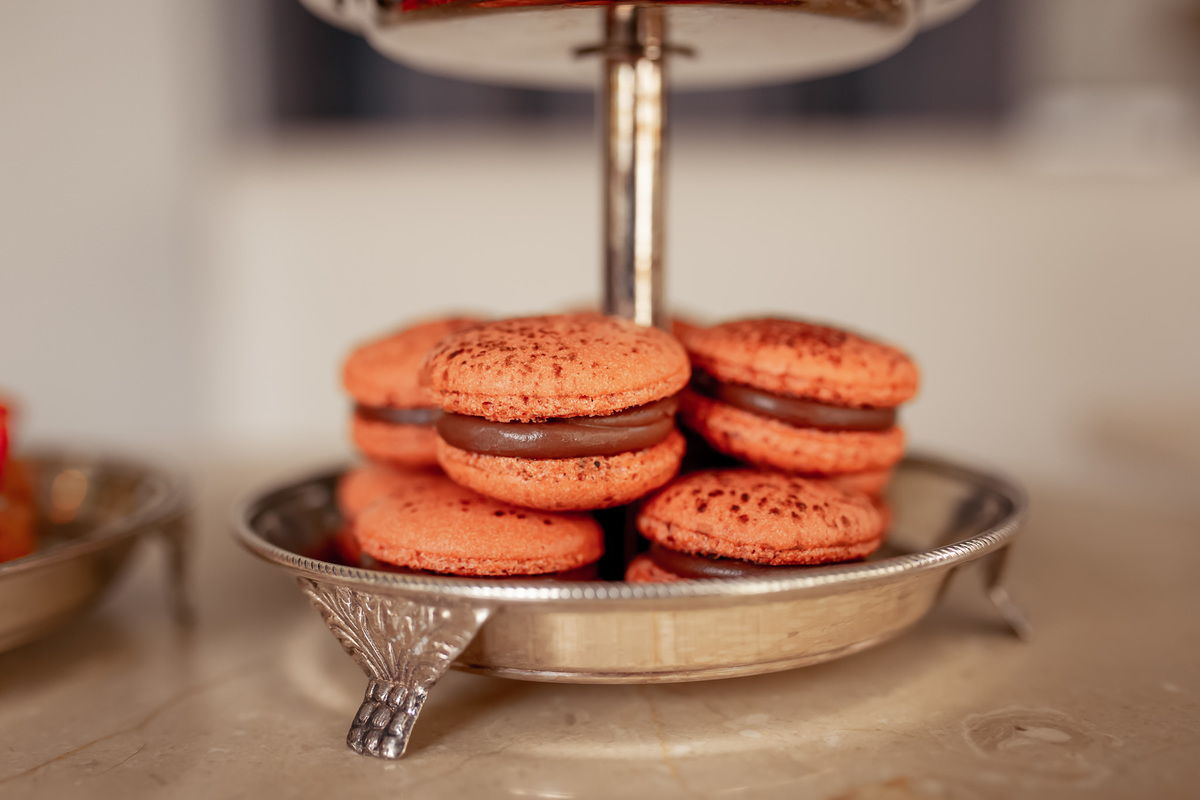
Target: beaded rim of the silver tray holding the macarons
x=820, y=580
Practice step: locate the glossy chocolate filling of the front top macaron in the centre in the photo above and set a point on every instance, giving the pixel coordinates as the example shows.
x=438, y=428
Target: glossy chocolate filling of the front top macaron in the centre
x=634, y=429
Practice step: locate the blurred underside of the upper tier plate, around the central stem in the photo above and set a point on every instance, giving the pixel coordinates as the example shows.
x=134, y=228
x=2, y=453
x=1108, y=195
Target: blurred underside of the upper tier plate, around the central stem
x=735, y=43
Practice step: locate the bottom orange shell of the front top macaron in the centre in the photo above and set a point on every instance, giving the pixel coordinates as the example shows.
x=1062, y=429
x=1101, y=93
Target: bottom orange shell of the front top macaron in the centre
x=567, y=484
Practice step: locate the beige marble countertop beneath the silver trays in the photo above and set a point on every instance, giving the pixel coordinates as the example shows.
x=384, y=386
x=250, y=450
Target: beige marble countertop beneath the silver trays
x=256, y=699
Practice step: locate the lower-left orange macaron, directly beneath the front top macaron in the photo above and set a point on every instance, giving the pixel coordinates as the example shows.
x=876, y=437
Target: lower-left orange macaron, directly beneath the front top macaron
x=451, y=530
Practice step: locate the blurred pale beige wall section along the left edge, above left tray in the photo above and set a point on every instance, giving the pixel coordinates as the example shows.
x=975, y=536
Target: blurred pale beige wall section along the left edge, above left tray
x=104, y=123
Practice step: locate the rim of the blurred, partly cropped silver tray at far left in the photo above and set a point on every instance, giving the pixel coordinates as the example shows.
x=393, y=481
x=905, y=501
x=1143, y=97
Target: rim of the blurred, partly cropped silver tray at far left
x=167, y=503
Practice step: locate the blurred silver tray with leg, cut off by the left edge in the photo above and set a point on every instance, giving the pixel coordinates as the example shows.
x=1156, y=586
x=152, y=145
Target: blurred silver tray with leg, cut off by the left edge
x=93, y=510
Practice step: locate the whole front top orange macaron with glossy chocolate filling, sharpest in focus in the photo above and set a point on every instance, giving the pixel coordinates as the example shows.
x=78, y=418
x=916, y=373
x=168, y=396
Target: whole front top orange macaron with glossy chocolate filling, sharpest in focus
x=563, y=413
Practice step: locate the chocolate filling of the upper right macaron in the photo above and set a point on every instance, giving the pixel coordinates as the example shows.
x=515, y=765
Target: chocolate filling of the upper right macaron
x=794, y=411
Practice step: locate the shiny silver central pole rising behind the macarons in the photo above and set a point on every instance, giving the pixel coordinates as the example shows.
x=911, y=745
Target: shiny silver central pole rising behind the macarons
x=634, y=130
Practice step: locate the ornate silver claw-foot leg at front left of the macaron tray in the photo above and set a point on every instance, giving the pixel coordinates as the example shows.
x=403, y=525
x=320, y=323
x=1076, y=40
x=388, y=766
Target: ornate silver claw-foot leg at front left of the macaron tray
x=404, y=647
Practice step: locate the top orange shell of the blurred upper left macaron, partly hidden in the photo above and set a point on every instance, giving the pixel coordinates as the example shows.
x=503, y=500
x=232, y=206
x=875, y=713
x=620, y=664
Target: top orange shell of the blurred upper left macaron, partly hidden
x=386, y=374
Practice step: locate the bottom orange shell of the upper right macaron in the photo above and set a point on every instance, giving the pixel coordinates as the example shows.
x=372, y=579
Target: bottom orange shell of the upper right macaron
x=770, y=443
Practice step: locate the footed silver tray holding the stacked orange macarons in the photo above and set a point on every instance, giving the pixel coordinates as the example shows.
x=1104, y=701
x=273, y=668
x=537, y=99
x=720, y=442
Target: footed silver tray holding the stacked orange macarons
x=406, y=631
